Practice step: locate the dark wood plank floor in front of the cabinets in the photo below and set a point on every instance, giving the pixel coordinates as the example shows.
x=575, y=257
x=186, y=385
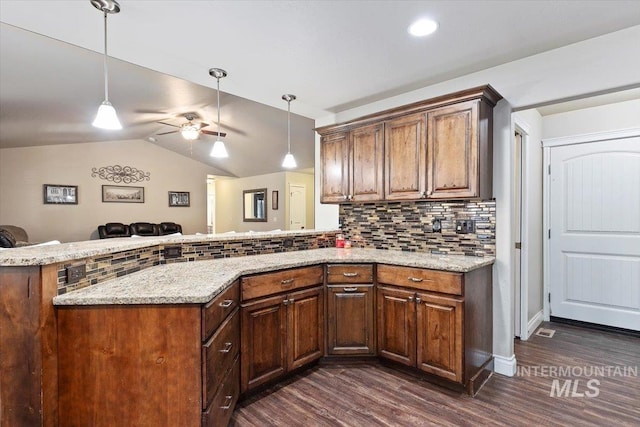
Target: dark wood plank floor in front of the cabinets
x=375, y=395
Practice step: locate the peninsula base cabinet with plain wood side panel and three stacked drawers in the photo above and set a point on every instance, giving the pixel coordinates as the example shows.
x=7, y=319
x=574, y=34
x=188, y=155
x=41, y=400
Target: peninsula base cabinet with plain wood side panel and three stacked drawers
x=149, y=365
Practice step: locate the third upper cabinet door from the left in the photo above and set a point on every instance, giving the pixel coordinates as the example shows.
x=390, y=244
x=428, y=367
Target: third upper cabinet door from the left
x=405, y=158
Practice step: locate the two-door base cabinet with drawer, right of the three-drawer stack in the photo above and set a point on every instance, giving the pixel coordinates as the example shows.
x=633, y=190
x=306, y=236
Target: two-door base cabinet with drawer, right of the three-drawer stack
x=283, y=331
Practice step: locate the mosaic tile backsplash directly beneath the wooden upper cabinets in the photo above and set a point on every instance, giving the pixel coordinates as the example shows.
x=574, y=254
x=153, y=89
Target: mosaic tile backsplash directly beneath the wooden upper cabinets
x=408, y=226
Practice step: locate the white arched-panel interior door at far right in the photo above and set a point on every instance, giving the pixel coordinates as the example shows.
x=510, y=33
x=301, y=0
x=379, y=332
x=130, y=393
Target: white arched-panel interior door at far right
x=594, y=248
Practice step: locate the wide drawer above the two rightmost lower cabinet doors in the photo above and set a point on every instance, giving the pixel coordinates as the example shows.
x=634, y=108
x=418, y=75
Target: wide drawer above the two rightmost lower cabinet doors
x=420, y=278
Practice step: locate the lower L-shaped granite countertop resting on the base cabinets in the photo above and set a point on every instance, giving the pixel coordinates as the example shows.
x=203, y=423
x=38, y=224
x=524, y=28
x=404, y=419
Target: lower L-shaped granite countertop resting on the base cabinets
x=199, y=282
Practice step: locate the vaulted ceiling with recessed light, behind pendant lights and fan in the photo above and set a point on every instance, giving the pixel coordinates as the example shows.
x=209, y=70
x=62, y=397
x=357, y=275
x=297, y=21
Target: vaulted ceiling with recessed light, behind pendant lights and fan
x=333, y=55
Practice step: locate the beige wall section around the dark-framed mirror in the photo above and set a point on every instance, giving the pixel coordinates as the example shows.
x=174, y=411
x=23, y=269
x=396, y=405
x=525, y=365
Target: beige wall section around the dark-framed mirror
x=229, y=201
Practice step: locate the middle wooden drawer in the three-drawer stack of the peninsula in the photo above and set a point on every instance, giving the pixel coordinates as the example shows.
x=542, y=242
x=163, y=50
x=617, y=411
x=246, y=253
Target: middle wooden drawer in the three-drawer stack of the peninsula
x=218, y=354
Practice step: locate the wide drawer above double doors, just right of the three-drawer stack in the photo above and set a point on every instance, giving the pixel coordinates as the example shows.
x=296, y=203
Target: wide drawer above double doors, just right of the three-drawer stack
x=280, y=281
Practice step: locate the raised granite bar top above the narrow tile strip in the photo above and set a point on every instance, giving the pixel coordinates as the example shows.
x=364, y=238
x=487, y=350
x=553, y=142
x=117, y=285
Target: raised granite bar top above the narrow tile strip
x=54, y=253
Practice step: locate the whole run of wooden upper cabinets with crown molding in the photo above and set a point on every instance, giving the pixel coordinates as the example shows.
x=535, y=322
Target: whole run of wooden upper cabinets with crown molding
x=440, y=148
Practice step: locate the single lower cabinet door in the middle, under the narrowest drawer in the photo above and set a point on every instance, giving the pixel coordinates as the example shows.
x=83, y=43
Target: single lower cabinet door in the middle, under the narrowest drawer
x=350, y=323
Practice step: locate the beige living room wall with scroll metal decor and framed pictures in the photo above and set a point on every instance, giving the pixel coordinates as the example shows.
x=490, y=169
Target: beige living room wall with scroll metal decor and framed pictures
x=23, y=171
